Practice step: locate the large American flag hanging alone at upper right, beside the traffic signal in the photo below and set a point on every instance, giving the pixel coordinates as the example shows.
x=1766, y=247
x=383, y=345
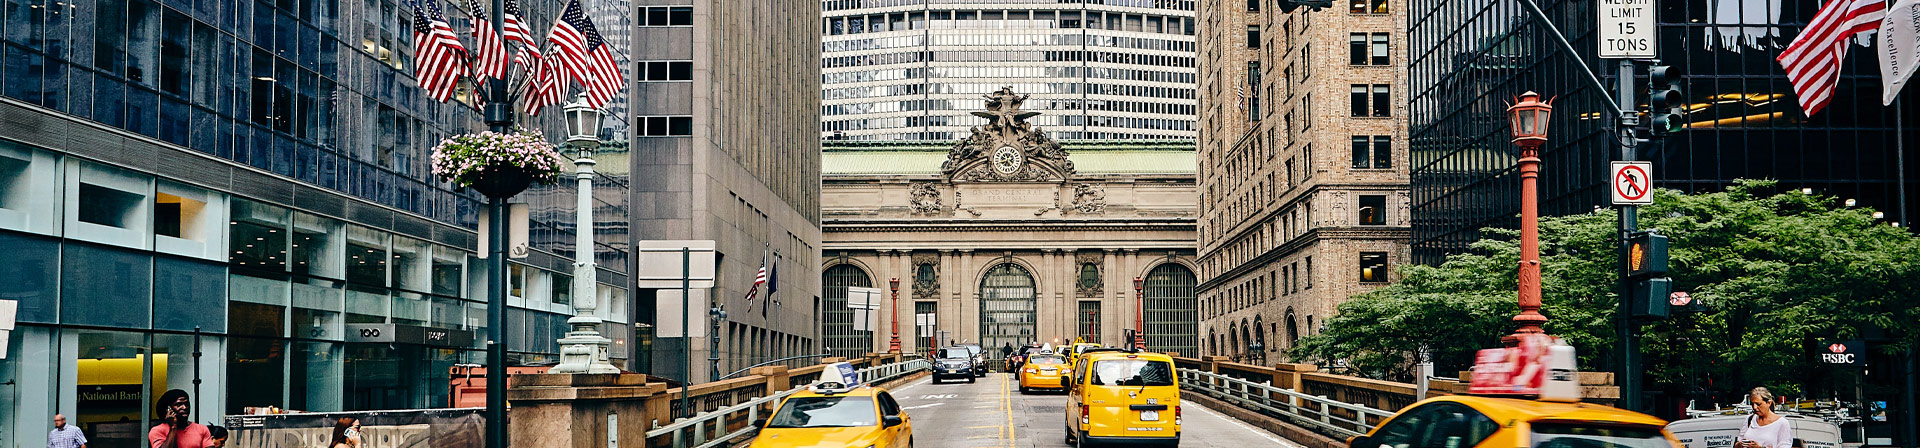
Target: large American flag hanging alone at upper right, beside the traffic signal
x=1813, y=59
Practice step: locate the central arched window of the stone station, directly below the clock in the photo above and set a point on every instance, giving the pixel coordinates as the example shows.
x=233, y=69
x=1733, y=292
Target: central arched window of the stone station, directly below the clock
x=1007, y=309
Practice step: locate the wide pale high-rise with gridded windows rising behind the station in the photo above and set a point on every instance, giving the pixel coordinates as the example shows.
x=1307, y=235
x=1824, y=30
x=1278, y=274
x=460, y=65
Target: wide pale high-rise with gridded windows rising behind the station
x=913, y=70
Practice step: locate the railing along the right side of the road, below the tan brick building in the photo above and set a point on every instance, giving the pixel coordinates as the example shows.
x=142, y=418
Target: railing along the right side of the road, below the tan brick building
x=1316, y=412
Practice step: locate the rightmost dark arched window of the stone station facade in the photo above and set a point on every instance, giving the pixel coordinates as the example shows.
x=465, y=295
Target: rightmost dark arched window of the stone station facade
x=1172, y=311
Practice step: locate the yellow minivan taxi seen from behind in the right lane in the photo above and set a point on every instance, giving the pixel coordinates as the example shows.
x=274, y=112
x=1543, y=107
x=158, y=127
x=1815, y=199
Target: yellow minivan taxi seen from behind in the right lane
x=1118, y=397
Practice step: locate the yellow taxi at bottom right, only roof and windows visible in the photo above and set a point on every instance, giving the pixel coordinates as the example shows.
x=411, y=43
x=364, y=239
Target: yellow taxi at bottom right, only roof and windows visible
x=1464, y=422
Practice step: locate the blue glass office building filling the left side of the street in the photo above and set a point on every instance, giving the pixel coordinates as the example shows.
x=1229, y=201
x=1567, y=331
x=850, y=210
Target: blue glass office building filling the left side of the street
x=222, y=197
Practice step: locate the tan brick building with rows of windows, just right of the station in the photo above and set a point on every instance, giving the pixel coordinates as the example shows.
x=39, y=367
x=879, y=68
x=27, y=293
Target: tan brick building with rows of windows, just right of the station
x=1303, y=155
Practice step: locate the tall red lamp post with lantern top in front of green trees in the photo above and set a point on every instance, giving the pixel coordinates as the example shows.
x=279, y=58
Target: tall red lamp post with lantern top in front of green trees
x=1529, y=132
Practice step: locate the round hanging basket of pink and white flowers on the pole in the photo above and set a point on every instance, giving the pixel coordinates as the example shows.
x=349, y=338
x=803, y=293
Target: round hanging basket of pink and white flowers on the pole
x=498, y=164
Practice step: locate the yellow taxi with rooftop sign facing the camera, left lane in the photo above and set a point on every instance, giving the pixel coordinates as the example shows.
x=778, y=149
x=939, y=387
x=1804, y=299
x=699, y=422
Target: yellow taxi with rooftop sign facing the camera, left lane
x=859, y=418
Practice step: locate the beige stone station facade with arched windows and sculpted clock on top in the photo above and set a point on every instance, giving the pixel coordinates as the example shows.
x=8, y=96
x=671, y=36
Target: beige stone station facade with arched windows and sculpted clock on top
x=1009, y=237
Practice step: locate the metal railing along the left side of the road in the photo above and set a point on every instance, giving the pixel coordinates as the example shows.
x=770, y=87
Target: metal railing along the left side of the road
x=711, y=428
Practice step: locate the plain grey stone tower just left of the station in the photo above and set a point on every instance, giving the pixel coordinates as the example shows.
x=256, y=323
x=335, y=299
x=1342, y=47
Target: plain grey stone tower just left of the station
x=727, y=149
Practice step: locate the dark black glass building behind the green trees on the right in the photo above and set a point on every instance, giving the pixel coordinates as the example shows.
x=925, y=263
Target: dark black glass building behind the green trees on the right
x=1472, y=57
